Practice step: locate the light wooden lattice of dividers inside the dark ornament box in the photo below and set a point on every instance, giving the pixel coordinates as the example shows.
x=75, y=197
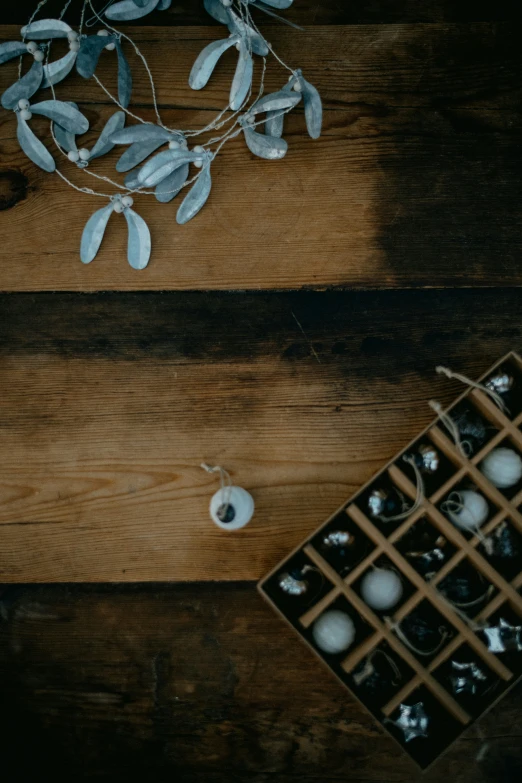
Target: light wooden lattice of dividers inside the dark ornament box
x=507, y=510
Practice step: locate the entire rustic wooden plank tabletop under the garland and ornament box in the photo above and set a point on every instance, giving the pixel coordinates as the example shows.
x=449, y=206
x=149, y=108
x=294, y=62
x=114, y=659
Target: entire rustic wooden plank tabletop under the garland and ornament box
x=289, y=333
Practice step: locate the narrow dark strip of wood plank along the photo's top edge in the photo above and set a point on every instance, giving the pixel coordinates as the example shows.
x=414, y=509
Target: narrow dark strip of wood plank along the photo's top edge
x=310, y=12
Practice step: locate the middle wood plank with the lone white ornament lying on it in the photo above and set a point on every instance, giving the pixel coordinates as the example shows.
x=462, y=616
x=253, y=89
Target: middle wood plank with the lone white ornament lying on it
x=110, y=403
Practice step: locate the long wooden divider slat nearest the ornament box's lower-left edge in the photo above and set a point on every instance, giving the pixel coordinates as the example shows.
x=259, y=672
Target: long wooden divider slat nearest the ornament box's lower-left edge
x=371, y=618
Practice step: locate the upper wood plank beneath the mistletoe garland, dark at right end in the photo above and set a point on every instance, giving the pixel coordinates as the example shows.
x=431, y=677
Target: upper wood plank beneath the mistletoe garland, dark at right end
x=415, y=183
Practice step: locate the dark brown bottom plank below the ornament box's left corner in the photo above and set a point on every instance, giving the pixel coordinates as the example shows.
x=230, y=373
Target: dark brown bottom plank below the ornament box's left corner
x=197, y=683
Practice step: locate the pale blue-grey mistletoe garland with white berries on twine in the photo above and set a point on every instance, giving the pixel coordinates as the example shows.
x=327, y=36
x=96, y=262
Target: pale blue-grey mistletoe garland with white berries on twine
x=167, y=172
